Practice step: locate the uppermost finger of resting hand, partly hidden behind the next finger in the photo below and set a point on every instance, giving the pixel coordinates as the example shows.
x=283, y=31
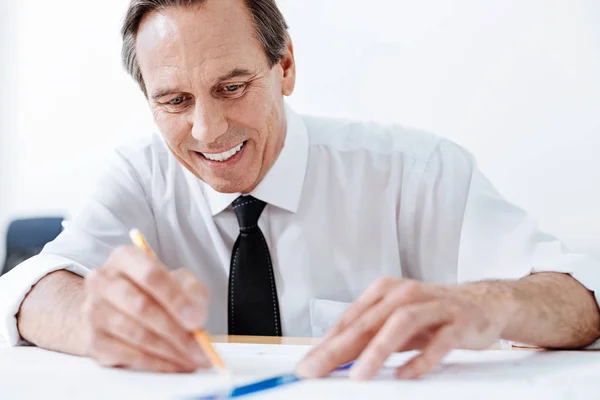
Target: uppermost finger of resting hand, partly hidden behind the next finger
x=371, y=296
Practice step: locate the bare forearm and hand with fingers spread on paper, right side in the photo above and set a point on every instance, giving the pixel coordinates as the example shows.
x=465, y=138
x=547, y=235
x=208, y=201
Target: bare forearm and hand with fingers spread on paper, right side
x=395, y=315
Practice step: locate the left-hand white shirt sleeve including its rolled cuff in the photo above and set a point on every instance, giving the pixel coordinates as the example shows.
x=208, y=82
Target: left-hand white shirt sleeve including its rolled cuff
x=117, y=204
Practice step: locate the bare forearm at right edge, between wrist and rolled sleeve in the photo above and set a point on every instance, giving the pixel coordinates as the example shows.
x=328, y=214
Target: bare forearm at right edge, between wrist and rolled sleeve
x=552, y=310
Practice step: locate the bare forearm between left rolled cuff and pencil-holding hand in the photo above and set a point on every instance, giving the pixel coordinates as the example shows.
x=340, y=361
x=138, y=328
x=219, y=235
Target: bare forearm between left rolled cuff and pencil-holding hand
x=50, y=316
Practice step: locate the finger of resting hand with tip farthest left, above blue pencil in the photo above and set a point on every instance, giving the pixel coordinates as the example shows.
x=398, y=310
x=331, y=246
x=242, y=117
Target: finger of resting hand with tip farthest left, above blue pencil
x=350, y=342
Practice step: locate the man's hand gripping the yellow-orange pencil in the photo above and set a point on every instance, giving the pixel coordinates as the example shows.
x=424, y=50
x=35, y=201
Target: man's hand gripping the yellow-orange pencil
x=142, y=316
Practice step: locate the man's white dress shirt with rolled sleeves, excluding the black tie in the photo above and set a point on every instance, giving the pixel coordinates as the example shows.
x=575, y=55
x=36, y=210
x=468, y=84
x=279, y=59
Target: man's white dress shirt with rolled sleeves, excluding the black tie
x=348, y=202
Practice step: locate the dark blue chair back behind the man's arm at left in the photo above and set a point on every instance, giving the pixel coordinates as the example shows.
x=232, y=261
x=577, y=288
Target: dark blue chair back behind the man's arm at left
x=26, y=238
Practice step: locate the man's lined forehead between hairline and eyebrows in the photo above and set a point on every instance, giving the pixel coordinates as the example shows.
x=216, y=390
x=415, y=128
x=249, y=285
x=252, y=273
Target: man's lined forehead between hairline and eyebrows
x=210, y=39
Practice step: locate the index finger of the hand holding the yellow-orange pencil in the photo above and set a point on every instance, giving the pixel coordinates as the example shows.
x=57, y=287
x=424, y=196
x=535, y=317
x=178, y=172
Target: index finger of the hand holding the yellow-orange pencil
x=155, y=280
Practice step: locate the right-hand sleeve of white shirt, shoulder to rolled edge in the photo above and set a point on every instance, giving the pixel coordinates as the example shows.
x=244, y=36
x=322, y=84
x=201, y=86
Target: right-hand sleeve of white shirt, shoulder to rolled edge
x=491, y=238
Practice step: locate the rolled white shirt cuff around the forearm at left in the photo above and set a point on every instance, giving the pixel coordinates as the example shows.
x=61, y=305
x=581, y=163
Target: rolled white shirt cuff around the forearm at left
x=17, y=283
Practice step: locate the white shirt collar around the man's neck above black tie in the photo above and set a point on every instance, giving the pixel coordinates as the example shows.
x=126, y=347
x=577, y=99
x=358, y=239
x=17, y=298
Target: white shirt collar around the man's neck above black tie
x=282, y=185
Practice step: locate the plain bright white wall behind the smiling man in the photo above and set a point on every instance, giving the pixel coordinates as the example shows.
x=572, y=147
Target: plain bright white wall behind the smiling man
x=517, y=82
